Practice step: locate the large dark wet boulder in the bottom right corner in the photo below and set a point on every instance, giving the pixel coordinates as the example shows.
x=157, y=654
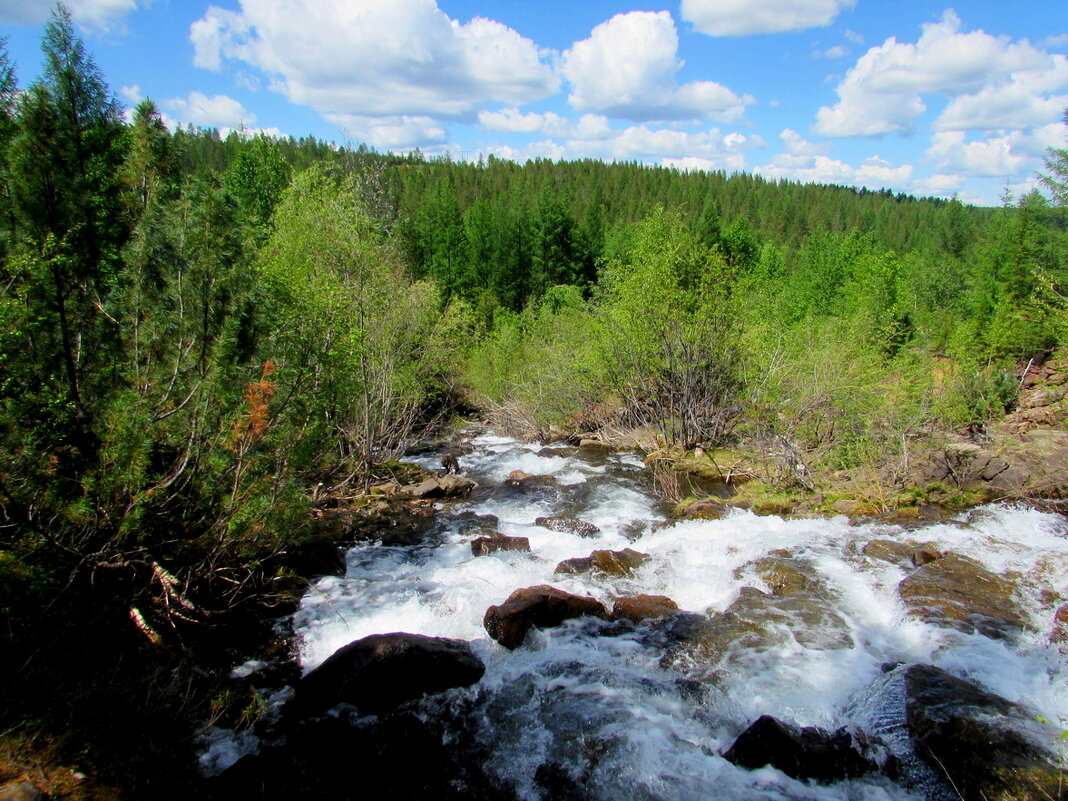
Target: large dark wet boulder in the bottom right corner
x=987, y=747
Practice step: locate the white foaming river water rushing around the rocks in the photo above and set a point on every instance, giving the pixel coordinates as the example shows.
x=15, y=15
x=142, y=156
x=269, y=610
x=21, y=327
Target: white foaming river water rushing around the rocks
x=605, y=708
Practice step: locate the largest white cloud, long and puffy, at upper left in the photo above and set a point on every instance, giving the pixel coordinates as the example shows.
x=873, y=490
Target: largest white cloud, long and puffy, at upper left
x=402, y=59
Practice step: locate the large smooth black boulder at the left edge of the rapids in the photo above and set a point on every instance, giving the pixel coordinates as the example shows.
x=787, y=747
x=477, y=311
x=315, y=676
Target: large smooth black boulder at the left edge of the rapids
x=381, y=672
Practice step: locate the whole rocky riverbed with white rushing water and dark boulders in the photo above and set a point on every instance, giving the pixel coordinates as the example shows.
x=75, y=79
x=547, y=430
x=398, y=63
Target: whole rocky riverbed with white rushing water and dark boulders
x=542, y=627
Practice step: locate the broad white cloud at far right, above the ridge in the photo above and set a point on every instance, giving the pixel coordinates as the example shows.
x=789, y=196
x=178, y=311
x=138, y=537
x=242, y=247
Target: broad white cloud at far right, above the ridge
x=884, y=92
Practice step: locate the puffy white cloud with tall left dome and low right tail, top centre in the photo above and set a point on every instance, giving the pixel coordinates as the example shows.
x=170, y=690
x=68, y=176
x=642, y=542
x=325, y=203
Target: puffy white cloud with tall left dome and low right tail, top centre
x=627, y=70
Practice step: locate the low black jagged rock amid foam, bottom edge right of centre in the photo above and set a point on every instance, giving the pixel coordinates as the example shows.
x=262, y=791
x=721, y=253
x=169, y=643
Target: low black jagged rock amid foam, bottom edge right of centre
x=804, y=753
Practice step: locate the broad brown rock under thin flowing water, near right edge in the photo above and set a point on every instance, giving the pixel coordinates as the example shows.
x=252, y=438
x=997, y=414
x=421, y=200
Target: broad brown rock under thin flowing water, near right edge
x=956, y=592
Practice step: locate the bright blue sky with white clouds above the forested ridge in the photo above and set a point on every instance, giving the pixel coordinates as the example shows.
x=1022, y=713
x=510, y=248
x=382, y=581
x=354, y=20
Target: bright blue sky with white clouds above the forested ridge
x=914, y=96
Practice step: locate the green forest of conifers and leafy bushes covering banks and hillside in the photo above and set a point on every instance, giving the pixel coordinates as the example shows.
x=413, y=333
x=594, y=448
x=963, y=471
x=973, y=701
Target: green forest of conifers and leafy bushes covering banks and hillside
x=202, y=336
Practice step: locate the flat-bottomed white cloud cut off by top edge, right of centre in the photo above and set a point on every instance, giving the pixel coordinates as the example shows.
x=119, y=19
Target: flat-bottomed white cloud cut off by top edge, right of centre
x=745, y=18
